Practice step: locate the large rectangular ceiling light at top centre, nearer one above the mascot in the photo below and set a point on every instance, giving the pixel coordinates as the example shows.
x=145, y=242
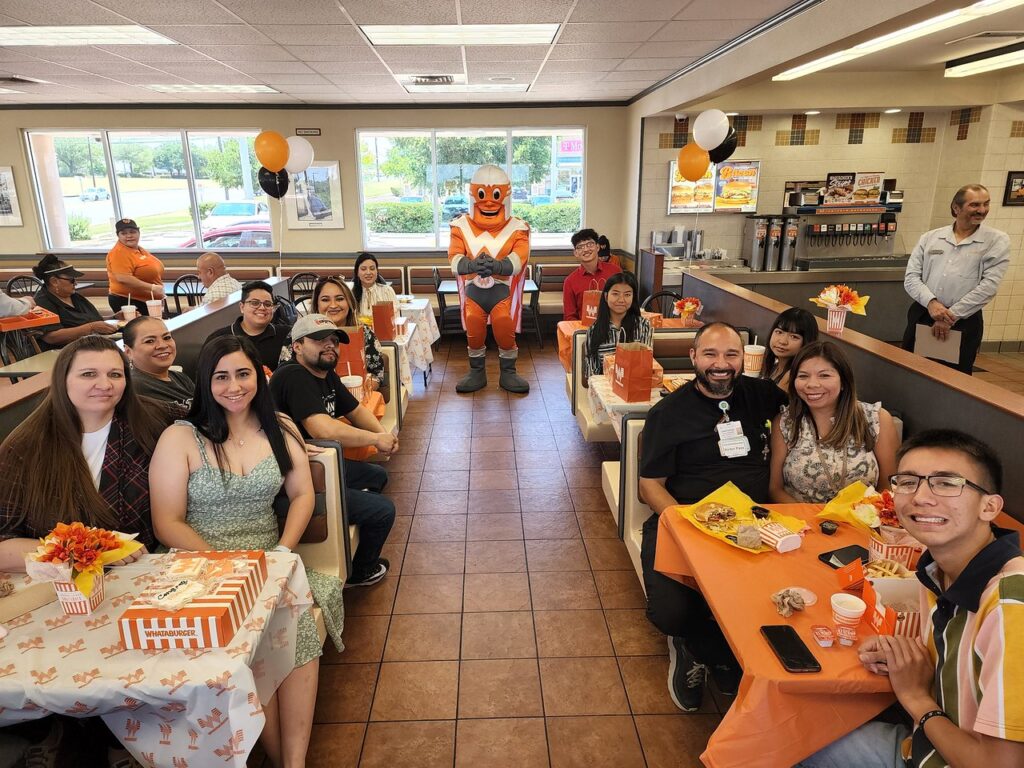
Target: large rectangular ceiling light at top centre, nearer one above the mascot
x=465, y=34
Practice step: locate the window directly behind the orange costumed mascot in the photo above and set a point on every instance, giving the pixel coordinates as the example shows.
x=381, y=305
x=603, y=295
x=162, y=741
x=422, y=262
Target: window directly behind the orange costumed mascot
x=413, y=184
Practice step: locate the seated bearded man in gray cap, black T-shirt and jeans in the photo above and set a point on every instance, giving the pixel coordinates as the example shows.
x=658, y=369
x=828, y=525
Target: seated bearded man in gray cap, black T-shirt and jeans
x=310, y=392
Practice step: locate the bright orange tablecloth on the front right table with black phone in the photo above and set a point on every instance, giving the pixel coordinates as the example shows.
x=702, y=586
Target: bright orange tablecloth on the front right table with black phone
x=779, y=718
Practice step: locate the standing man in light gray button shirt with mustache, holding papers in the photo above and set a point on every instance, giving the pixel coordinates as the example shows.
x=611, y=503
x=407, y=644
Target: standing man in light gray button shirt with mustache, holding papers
x=954, y=273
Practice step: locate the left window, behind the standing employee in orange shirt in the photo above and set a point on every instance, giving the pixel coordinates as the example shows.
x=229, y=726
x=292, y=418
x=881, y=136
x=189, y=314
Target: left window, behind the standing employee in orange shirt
x=176, y=185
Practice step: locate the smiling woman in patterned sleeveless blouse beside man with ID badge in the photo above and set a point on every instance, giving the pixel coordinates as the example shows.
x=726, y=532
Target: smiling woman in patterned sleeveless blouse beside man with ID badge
x=826, y=439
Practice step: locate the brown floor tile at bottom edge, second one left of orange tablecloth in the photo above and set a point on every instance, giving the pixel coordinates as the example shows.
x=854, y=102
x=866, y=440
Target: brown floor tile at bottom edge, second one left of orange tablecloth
x=594, y=743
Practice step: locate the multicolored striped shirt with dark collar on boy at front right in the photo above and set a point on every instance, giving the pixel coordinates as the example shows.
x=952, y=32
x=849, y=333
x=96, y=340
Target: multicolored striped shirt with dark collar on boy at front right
x=975, y=631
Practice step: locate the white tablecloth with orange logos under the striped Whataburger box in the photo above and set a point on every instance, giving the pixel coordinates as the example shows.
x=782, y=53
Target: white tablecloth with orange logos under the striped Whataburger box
x=180, y=709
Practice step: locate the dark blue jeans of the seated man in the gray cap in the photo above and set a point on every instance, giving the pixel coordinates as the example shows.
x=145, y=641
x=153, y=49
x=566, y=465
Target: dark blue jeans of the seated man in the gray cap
x=373, y=514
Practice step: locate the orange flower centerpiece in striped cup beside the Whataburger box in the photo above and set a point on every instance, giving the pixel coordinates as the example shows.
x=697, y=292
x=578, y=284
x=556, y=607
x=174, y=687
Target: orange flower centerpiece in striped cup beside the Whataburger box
x=73, y=557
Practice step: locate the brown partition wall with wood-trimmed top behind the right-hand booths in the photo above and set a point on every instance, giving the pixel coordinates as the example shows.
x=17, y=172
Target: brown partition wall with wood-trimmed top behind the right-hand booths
x=925, y=395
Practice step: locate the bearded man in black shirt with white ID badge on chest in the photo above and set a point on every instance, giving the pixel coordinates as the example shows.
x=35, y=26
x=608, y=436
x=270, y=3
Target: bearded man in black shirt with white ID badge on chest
x=687, y=455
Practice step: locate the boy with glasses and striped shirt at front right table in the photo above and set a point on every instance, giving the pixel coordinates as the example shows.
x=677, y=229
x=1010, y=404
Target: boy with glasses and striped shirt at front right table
x=964, y=686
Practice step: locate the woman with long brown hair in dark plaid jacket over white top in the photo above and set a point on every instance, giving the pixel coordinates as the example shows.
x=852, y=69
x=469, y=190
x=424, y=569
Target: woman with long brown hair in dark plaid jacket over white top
x=82, y=455
